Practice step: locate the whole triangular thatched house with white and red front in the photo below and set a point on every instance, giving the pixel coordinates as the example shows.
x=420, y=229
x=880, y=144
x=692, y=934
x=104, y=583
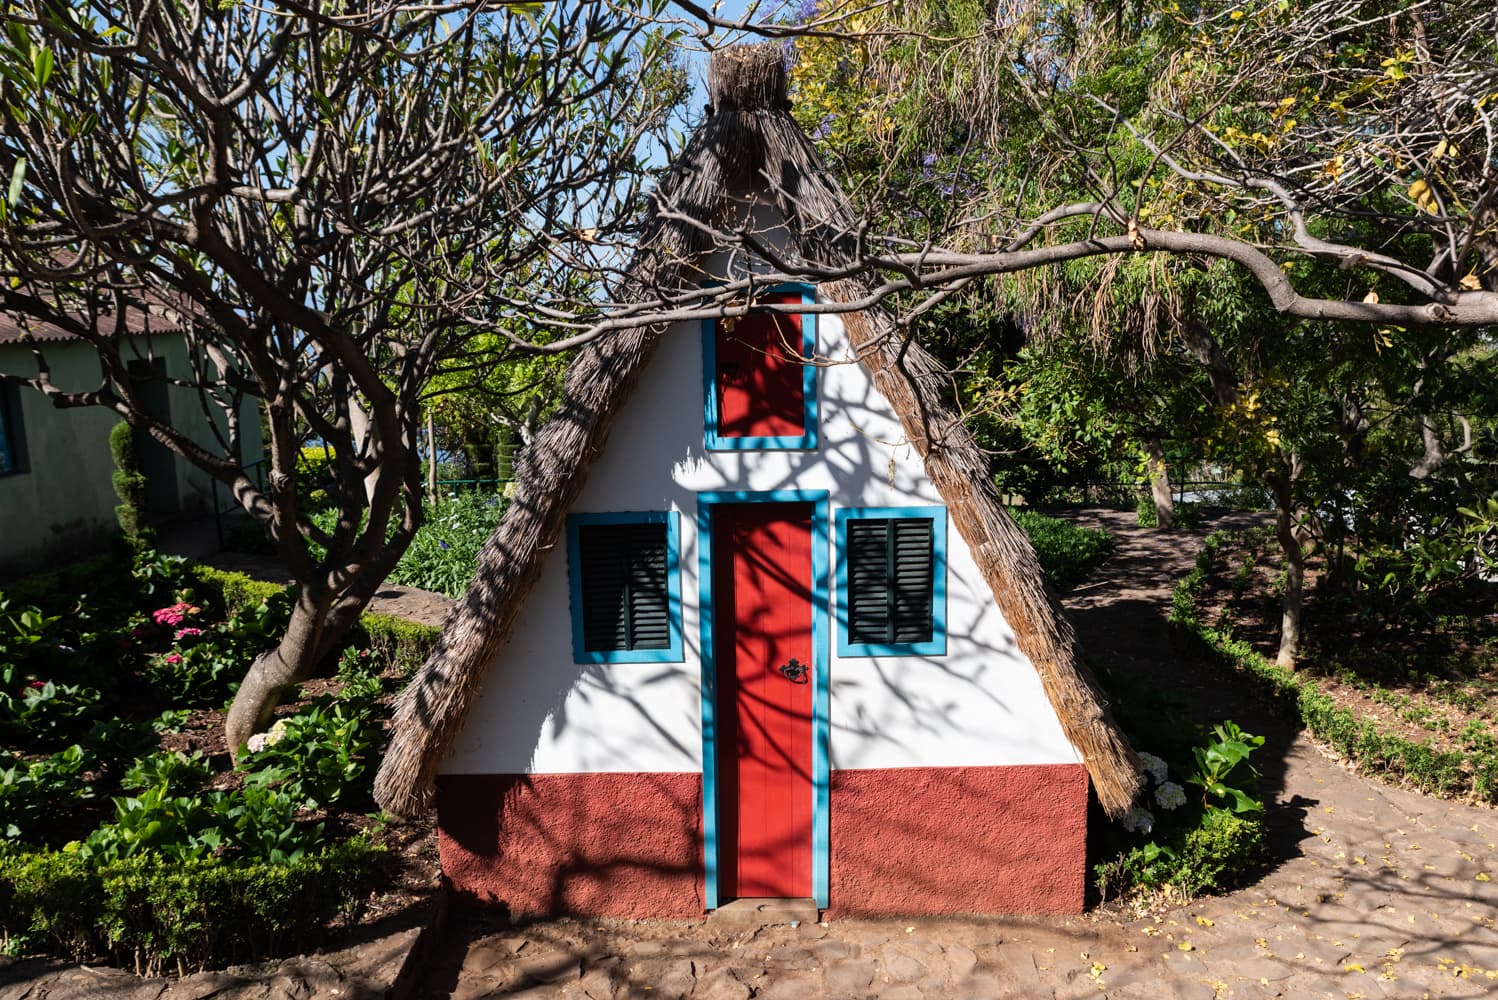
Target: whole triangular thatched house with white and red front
x=753, y=628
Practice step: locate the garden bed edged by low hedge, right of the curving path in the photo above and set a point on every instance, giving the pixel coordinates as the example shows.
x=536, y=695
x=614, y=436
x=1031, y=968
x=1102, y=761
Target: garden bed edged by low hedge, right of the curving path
x=1404, y=694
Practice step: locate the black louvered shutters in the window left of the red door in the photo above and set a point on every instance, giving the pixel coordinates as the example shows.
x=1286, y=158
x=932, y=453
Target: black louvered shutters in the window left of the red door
x=625, y=598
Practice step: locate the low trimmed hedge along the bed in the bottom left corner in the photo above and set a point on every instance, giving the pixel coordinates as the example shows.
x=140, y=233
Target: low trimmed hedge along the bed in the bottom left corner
x=182, y=914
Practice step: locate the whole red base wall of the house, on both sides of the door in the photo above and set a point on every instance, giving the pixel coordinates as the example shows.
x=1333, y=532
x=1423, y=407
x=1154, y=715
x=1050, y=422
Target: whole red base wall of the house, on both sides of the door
x=904, y=842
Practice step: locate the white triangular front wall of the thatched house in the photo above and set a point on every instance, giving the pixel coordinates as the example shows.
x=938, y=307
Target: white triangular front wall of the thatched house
x=980, y=704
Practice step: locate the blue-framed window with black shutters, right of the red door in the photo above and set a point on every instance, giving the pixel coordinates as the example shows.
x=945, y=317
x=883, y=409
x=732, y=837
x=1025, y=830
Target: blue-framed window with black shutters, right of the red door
x=892, y=582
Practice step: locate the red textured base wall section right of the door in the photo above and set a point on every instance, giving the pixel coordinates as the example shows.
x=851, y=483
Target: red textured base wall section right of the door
x=959, y=841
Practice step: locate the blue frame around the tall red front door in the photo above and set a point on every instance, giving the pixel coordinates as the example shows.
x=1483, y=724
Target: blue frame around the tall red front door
x=820, y=671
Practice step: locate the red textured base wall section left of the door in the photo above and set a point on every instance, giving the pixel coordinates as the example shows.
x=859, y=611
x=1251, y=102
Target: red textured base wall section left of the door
x=595, y=845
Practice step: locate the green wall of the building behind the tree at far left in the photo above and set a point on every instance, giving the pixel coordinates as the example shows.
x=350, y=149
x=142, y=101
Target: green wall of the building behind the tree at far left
x=62, y=507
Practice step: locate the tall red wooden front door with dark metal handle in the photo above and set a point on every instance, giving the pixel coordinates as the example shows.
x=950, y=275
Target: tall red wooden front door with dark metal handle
x=763, y=624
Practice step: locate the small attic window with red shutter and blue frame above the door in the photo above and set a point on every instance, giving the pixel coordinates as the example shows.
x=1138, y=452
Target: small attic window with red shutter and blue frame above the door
x=759, y=385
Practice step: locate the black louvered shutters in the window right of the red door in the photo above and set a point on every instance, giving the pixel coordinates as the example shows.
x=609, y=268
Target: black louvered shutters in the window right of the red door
x=891, y=567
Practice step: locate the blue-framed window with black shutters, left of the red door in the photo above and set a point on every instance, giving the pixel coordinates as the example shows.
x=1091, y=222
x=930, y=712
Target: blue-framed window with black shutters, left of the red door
x=625, y=588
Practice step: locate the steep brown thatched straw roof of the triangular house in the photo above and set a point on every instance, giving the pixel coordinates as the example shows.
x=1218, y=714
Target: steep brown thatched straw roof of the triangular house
x=748, y=138
